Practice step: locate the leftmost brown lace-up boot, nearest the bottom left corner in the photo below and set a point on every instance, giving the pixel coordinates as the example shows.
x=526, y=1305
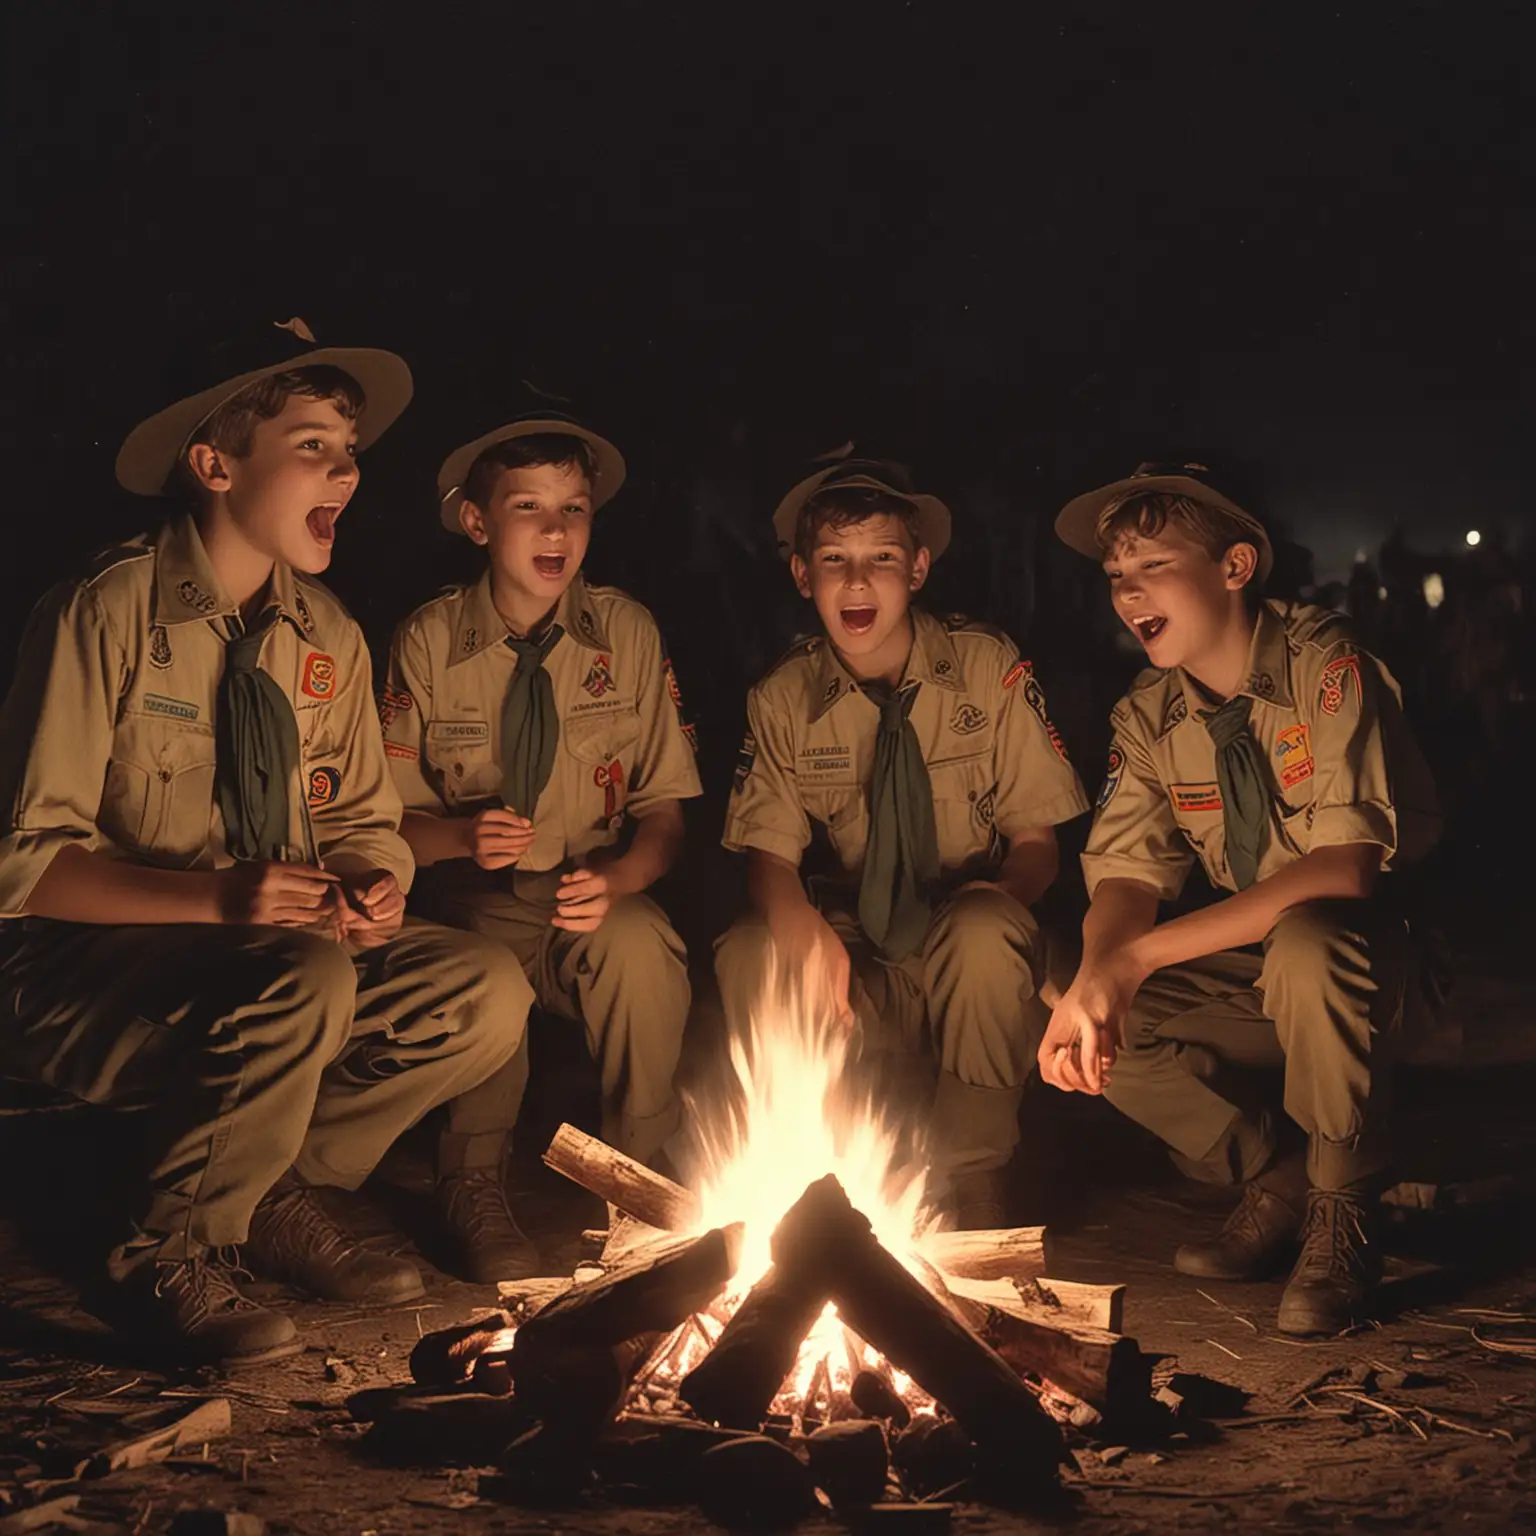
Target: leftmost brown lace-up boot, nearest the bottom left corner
x=194, y=1311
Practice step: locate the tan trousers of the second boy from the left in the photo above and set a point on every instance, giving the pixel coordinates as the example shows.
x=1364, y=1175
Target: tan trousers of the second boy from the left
x=627, y=984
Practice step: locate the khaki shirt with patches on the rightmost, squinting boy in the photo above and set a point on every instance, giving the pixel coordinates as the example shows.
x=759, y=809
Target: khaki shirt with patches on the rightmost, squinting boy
x=1328, y=718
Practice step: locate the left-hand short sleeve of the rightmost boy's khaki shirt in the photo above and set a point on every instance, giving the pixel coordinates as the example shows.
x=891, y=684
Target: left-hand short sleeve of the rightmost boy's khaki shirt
x=1134, y=835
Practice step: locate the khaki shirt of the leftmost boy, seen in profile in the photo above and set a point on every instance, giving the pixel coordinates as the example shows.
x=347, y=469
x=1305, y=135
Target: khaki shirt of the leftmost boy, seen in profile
x=107, y=740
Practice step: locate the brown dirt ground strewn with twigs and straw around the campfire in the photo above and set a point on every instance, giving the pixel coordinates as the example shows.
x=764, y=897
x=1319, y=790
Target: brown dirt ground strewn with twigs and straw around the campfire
x=1422, y=1423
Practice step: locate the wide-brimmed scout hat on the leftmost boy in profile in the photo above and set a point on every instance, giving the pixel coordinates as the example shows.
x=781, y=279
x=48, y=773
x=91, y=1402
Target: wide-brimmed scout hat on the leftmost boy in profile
x=153, y=451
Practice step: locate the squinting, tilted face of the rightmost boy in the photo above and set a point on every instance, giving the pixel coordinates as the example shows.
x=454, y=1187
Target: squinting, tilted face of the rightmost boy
x=1174, y=597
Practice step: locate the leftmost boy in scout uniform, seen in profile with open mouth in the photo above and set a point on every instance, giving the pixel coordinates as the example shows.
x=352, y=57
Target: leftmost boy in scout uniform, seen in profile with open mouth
x=200, y=872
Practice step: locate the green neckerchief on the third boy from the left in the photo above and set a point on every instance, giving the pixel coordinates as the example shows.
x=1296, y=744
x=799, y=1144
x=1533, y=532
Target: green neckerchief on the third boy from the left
x=902, y=856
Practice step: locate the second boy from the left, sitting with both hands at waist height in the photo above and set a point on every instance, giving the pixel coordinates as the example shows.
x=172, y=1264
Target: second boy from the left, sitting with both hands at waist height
x=531, y=721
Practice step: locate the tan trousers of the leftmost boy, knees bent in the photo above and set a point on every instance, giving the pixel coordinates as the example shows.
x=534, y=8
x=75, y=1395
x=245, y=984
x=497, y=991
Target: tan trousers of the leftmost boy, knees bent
x=260, y=1048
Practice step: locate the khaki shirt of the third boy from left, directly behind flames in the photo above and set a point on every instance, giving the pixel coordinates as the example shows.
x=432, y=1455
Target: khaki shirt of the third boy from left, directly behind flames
x=996, y=764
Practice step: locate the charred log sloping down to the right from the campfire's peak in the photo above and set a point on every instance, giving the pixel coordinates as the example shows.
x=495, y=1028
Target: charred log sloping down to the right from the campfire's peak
x=890, y=1308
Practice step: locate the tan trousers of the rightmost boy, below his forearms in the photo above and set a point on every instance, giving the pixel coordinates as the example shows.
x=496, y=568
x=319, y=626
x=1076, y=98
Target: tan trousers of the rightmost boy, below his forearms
x=1325, y=1002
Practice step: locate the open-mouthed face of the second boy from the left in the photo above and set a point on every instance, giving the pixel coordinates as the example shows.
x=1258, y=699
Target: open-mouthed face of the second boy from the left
x=535, y=529
